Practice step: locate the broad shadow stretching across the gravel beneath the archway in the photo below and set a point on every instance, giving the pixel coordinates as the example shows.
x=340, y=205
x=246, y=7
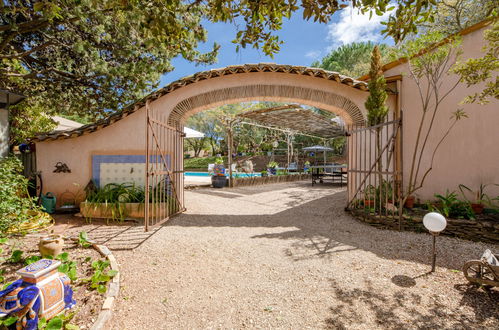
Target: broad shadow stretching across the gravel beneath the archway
x=321, y=228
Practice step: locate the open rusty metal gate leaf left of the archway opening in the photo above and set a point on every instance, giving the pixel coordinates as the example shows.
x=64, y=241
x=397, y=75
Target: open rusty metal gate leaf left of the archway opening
x=164, y=169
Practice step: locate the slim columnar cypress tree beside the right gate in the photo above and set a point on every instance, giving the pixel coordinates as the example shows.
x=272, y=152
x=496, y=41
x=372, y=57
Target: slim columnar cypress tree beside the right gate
x=375, y=103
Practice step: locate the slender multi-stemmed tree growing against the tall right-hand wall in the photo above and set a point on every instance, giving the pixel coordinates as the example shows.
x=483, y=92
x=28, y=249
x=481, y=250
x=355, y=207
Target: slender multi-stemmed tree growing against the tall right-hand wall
x=427, y=70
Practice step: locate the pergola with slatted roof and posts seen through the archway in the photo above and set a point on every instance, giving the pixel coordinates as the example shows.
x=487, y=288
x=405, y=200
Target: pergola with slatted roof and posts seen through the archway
x=292, y=119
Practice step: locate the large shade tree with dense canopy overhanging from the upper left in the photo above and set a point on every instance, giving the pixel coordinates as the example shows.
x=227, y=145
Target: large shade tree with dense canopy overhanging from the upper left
x=89, y=57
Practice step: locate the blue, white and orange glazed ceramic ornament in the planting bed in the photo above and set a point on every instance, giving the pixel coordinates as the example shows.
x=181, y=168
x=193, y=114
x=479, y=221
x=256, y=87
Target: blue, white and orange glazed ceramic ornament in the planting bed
x=41, y=292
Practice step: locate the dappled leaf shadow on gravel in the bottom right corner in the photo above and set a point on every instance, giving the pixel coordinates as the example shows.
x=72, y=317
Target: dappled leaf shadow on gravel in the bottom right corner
x=352, y=306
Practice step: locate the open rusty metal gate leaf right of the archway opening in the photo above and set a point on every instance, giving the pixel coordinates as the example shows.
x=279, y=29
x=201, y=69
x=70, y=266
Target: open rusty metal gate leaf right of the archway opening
x=374, y=173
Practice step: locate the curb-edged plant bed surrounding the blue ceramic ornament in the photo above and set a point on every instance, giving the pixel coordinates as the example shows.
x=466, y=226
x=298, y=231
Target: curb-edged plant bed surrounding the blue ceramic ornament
x=80, y=262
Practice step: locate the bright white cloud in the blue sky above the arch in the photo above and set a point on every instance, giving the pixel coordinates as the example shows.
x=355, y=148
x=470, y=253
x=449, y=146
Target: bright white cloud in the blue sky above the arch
x=354, y=26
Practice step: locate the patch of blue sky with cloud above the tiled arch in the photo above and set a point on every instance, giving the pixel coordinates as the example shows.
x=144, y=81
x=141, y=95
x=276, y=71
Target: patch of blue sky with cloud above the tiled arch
x=304, y=42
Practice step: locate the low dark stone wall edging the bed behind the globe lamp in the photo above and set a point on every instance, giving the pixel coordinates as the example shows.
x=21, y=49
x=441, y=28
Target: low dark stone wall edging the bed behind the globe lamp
x=474, y=230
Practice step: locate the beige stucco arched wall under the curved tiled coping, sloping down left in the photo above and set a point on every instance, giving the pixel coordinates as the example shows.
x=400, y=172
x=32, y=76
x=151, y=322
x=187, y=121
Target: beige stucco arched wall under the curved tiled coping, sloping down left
x=127, y=136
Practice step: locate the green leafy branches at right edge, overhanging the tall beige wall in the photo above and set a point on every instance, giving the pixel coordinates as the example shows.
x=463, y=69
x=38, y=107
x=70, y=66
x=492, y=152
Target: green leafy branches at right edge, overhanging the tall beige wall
x=483, y=70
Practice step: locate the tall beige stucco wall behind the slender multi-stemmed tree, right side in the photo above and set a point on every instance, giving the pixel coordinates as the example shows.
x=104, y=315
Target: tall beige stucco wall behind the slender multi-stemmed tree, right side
x=470, y=154
